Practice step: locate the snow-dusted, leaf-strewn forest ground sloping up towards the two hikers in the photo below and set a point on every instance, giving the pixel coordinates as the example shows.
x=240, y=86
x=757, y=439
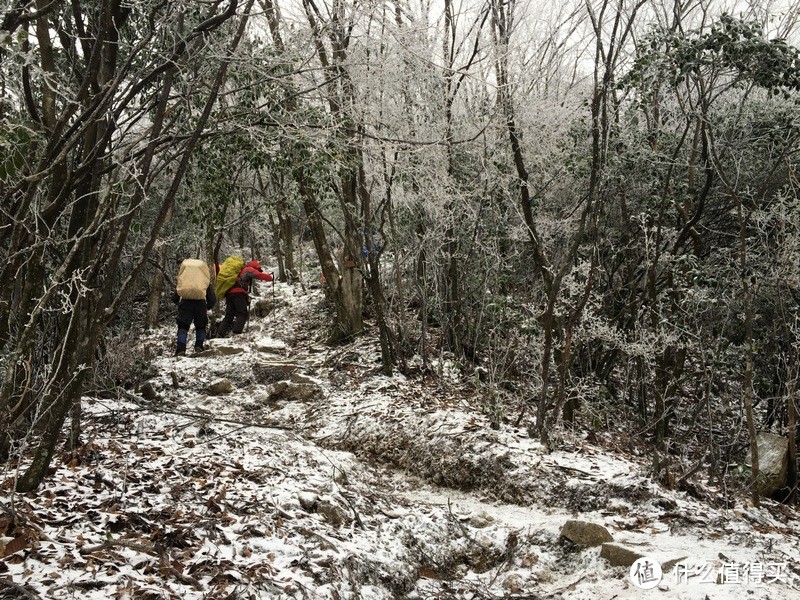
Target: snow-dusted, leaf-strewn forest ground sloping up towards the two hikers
x=312, y=476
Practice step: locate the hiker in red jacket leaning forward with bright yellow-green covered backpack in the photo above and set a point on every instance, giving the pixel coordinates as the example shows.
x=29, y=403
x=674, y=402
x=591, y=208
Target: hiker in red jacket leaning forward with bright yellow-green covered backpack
x=233, y=281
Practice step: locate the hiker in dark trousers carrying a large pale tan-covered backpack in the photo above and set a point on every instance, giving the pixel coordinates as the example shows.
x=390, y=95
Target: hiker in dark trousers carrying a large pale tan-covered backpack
x=194, y=296
